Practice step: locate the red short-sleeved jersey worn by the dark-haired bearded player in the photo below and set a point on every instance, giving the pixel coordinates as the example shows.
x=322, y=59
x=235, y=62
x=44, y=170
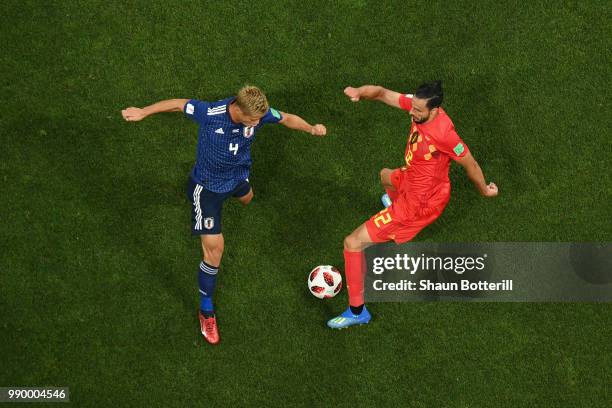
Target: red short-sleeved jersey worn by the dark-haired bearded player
x=429, y=150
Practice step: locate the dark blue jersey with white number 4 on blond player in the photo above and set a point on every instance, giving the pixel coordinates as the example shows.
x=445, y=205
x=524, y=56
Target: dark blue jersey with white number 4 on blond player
x=223, y=157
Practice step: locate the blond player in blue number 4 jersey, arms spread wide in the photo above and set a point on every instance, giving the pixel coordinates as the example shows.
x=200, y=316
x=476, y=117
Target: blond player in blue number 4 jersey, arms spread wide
x=227, y=129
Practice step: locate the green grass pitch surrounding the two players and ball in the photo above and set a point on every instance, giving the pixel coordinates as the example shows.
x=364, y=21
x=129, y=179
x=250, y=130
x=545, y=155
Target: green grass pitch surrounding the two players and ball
x=97, y=266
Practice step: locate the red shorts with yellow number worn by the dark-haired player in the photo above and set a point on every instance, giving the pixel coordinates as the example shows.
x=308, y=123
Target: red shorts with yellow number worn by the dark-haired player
x=406, y=217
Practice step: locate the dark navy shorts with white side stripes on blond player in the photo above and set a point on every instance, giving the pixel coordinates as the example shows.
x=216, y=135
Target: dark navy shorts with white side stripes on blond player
x=206, y=206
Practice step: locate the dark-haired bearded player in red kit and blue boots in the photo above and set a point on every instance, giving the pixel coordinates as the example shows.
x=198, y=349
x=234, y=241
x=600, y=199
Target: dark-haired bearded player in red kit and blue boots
x=417, y=193
